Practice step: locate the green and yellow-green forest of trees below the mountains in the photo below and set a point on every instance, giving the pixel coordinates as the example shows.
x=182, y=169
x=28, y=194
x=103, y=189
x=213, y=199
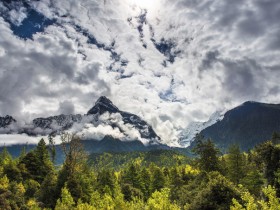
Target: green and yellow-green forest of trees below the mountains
x=156, y=180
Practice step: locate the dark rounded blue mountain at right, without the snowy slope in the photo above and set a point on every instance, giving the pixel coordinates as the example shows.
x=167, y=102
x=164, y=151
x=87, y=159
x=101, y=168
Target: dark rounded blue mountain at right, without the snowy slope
x=247, y=125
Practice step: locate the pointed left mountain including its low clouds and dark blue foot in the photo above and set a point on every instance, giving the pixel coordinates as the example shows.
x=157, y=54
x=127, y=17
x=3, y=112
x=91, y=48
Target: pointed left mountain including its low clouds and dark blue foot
x=134, y=134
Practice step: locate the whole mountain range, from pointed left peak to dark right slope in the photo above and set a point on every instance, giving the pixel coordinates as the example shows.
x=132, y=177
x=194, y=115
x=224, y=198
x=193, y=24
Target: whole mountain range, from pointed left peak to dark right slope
x=247, y=125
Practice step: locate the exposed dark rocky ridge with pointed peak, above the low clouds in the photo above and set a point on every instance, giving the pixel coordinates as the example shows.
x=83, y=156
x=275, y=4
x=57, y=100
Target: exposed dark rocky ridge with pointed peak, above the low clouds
x=94, y=117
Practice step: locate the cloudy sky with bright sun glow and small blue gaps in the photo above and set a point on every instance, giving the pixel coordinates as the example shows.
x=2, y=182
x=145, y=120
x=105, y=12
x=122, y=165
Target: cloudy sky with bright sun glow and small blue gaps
x=169, y=62
